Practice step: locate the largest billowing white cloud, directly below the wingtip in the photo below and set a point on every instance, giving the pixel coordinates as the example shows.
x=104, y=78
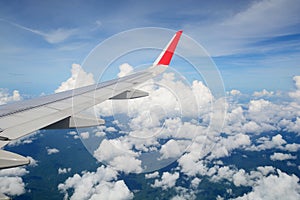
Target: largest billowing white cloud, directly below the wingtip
x=168, y=97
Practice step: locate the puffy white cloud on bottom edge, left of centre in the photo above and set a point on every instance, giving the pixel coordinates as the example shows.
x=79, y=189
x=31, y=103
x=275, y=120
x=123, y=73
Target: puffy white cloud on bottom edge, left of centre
x=102, y=184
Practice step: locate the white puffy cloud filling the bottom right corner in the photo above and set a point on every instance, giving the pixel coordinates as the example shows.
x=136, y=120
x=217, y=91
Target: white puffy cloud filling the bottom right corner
x=281, y=186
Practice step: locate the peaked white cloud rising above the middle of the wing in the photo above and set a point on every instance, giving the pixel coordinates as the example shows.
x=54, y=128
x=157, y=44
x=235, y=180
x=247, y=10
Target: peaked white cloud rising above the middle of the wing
x=79, y=78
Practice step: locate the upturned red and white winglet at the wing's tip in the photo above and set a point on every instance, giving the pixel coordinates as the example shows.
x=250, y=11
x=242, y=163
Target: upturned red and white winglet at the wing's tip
x=166, y=56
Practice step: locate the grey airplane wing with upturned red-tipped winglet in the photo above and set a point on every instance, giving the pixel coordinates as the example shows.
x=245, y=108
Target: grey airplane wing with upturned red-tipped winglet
x=58, y=110
